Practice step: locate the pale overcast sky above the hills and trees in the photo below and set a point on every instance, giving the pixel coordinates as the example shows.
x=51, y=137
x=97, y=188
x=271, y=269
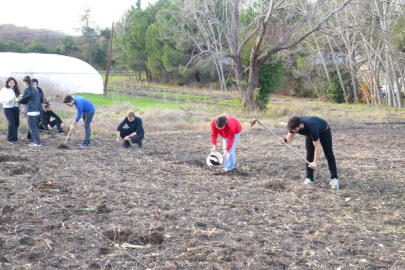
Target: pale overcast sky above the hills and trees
x=63, y=15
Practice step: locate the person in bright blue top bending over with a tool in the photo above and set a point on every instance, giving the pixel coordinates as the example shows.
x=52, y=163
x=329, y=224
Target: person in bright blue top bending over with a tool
x=85, y=109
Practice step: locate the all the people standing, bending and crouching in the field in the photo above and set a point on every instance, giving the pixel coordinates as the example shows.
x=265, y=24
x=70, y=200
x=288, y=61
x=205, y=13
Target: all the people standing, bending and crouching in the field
x=317, y=131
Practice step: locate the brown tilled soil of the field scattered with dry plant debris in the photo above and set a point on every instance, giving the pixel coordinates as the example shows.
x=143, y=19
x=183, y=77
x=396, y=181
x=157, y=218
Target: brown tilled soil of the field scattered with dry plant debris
x=72, y=208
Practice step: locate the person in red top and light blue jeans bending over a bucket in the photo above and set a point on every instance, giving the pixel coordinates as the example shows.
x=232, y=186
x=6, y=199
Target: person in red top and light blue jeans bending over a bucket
x=229, y=128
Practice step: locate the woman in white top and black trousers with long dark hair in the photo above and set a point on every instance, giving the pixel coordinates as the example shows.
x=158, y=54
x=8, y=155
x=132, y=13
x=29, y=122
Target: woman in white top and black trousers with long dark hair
x=8, y=97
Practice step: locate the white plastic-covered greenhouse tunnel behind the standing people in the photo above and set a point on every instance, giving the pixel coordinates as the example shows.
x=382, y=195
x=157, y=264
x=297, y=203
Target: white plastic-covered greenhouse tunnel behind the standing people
x=63, y=74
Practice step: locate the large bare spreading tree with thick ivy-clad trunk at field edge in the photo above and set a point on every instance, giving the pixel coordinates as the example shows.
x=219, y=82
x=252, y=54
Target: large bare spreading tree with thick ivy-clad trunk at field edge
x=290, y=20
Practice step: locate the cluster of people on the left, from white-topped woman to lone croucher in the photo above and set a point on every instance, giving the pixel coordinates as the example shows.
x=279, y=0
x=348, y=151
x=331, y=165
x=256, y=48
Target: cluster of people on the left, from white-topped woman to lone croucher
x=39, y=112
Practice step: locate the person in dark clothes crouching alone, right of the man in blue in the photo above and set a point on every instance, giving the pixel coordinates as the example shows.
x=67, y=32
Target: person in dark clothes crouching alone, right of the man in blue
x=133, y=133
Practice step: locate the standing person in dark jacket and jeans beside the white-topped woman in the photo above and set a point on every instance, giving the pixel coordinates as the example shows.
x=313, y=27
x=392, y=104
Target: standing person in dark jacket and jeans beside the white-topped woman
x=32, y=100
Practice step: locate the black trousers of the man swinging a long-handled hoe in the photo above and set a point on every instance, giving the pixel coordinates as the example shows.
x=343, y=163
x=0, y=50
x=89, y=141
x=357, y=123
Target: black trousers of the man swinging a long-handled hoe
x=326, y=142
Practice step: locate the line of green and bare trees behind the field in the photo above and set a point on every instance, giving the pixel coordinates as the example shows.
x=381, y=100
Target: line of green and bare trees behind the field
x=341, y=50
